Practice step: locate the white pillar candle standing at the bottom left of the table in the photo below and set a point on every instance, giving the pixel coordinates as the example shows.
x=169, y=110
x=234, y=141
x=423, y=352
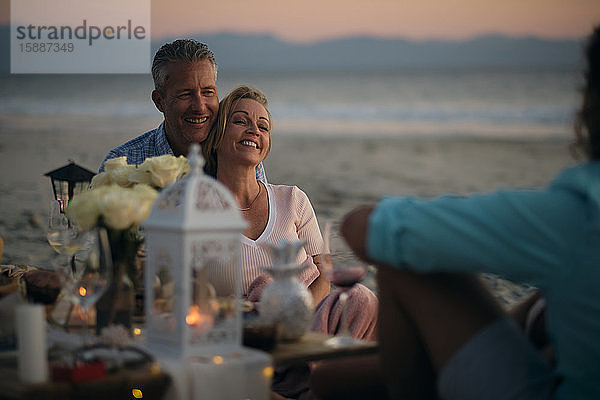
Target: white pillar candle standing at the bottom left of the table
x=31, y=342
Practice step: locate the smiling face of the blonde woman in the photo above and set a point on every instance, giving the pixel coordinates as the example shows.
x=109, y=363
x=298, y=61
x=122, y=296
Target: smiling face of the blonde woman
x=247, y=134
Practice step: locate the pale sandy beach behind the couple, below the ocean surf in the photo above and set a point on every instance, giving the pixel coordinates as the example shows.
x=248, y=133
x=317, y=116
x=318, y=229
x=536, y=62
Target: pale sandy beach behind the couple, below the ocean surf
x=337, y=173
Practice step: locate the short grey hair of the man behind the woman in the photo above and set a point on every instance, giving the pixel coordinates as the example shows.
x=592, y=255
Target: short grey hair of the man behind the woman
x=181, y=50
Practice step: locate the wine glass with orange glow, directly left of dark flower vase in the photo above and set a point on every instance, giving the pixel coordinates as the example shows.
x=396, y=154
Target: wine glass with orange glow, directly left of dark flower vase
x=92, y=275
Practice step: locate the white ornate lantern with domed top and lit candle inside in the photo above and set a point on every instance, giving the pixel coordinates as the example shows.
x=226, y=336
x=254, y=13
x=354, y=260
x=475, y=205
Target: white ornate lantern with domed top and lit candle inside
x=193, y=239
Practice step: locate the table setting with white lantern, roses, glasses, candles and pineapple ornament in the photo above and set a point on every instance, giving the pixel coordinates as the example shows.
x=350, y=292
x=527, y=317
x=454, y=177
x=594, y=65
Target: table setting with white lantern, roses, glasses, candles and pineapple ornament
x=151, y=234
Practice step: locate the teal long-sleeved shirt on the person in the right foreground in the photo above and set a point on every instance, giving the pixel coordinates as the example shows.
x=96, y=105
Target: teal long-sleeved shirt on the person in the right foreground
x=548, y=238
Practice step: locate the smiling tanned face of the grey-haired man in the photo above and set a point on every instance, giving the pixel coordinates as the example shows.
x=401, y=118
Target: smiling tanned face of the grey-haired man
x=189, y=103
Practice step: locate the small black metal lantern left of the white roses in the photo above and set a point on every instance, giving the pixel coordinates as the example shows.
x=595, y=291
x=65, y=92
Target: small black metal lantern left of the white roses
x=68, y=181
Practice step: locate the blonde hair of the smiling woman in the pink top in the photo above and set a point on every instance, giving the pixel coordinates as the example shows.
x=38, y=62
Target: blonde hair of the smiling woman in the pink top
x=226, y=106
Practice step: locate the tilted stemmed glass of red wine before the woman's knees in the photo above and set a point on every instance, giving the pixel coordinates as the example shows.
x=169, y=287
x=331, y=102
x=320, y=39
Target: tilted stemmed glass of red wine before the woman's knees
x=344, y=270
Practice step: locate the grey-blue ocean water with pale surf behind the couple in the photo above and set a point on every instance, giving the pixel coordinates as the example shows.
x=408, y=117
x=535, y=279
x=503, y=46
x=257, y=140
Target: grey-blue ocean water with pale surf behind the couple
x=409, y=102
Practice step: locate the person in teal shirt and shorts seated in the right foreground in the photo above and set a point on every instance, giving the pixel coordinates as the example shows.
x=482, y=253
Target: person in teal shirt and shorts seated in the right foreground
x=441, y=333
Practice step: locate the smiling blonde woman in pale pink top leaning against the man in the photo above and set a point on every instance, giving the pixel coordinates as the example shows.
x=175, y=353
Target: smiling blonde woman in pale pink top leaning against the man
x=238, y=142
